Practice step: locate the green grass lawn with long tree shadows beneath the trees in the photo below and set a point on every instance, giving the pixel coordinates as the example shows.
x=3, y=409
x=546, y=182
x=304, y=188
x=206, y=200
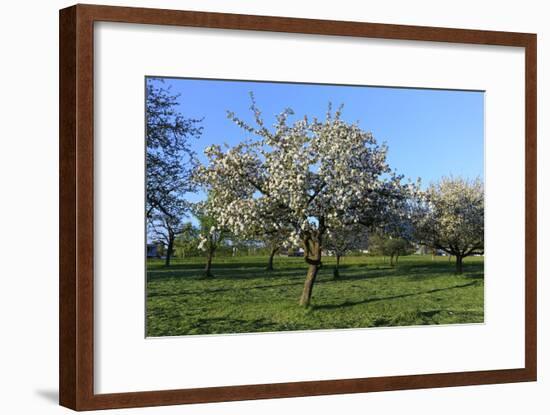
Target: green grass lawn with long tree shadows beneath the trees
x=244, y=298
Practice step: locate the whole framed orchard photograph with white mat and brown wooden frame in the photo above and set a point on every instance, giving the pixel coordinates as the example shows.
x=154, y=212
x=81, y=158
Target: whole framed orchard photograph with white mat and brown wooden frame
x=259, y=207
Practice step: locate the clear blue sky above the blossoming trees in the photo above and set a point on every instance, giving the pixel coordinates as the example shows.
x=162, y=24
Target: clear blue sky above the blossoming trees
x=430, y=133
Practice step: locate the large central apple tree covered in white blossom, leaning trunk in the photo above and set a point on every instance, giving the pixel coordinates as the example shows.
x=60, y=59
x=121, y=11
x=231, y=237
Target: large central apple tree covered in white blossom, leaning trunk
x=310, y=176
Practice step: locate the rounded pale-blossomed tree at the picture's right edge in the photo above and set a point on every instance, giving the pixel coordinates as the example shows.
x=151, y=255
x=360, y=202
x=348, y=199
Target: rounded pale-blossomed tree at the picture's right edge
x=450, y=217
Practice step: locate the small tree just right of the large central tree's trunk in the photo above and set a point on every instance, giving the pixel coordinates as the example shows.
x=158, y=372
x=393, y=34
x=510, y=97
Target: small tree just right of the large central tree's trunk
x=340, y=241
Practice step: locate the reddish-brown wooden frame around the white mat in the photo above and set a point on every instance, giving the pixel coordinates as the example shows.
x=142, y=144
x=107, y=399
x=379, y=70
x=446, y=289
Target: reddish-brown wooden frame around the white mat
x=76, y=153
